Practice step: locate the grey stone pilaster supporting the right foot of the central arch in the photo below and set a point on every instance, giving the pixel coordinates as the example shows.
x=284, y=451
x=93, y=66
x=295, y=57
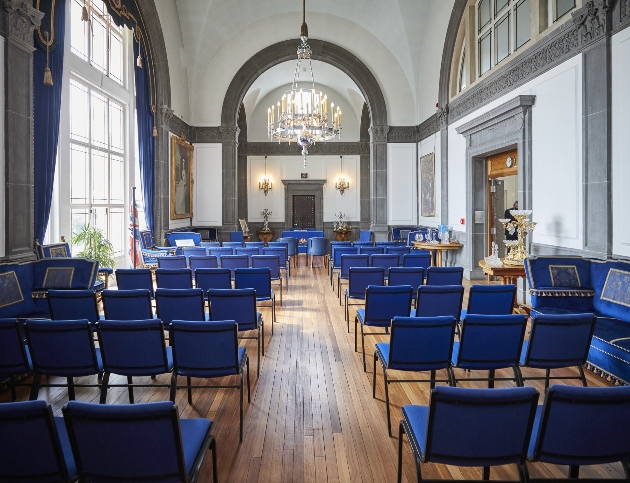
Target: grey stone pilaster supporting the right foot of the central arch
x=378, y=182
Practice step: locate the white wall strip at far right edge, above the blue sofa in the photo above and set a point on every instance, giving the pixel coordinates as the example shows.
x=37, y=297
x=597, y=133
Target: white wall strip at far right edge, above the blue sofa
x=621, y=142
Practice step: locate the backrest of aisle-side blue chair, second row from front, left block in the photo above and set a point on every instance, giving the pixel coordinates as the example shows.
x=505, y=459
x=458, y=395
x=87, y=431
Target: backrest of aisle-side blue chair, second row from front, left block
x=204, y=349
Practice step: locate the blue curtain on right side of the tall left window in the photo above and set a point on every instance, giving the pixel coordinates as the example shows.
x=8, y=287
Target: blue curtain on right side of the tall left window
x=146, y=141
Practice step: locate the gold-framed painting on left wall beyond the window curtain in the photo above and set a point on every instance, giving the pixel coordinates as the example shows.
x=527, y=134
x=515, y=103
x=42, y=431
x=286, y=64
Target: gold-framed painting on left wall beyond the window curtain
x=181, y=178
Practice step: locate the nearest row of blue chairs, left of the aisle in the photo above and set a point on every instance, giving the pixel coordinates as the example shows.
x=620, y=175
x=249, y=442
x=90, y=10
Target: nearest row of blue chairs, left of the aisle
x=92, y=442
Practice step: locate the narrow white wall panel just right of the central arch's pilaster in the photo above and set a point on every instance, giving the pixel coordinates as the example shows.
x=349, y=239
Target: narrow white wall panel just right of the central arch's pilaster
x=401, y=184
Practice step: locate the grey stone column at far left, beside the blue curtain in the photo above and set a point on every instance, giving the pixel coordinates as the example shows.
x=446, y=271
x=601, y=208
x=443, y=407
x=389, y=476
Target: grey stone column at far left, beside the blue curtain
x=21, y=19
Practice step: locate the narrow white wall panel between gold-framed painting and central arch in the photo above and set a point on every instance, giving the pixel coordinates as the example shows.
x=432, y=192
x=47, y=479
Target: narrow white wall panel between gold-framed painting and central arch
x=207, y=190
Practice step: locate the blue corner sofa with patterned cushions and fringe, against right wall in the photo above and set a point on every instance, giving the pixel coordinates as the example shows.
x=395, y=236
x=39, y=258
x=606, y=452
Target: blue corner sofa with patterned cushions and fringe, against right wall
x=565, y=285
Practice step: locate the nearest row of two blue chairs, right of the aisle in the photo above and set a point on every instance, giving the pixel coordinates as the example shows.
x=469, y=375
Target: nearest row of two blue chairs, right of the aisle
x=490, y=427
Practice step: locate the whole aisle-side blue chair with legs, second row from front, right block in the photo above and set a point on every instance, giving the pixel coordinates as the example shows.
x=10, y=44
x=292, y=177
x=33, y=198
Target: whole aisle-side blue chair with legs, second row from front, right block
x=416, y=344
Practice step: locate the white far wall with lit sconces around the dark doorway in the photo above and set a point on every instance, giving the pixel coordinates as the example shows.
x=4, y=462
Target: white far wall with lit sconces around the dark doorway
x=290, y=168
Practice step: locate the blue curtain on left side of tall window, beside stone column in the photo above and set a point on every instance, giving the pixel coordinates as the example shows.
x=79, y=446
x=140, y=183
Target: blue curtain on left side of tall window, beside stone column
x=47, y=102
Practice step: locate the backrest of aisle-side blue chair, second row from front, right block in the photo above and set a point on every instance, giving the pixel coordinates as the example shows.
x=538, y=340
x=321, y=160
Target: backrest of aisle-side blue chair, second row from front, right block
x=421, y=343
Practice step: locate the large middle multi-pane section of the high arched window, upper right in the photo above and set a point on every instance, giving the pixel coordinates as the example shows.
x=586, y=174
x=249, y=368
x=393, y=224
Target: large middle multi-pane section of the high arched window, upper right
x=503, y=26
